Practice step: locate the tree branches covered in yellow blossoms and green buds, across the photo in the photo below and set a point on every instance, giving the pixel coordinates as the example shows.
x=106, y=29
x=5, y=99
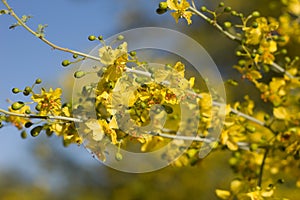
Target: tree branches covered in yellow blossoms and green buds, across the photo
x=264, y=141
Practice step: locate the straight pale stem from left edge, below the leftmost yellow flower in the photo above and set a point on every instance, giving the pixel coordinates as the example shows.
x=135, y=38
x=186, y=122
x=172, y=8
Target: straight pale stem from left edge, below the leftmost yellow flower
x=40, y=117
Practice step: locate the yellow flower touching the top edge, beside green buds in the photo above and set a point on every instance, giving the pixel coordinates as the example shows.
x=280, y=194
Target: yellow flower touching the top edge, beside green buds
x=180, y=10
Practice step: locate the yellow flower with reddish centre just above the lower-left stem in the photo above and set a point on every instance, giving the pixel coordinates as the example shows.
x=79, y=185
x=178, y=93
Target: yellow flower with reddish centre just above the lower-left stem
x=48, y=102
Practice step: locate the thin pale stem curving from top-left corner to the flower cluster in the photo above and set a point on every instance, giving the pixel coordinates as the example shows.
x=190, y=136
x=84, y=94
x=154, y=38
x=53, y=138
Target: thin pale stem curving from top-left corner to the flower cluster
x=12, y=13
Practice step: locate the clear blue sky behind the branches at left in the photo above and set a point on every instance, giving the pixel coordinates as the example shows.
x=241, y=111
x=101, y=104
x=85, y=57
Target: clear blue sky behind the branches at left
x=24, y=58
